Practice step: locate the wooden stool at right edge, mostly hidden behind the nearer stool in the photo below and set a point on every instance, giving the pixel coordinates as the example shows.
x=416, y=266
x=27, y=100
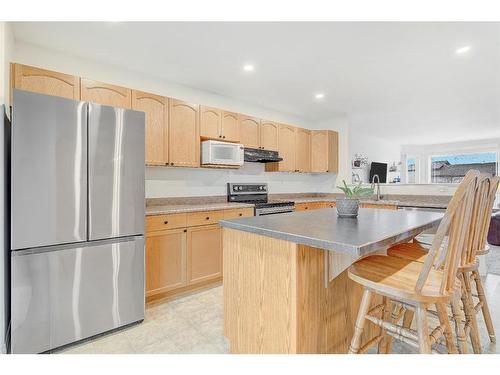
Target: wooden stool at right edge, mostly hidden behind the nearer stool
x=468, y=269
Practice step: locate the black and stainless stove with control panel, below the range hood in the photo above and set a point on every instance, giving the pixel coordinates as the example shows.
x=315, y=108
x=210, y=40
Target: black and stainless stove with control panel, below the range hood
x=256, y=194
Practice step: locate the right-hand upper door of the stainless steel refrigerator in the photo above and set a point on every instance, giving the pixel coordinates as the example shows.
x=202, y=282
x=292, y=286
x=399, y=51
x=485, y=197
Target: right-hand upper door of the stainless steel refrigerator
x=116, y=172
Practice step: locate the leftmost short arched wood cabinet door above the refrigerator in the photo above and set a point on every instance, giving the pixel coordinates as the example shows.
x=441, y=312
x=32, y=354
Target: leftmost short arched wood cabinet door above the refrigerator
x=43, y=81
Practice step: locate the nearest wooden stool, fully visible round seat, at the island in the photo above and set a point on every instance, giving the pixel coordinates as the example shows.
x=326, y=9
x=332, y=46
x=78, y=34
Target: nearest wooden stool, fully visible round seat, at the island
x=416, y=284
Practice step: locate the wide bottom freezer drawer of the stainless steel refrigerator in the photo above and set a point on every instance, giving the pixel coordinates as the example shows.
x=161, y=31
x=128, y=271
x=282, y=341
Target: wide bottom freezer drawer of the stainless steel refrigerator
x=68, y=294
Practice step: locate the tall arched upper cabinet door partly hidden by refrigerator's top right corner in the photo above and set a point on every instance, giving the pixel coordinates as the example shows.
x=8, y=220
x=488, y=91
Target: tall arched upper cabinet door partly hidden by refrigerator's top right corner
x=156, y=109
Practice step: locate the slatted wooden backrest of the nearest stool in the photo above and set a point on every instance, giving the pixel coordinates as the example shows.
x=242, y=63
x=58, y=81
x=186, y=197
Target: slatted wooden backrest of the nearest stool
x=455, y=224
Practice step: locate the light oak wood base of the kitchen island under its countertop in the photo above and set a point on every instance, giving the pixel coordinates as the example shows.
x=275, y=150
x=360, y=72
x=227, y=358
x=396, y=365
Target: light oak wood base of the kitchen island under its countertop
x=275, y=300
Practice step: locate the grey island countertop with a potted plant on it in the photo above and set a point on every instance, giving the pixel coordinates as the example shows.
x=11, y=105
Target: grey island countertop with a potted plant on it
x=370, y=231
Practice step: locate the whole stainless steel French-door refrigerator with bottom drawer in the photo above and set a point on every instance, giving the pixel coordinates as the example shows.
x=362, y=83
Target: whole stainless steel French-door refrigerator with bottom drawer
x=77, y=220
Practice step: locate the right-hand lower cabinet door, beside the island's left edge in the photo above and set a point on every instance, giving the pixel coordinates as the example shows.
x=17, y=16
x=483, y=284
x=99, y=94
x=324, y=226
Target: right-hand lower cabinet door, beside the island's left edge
x=204, y=253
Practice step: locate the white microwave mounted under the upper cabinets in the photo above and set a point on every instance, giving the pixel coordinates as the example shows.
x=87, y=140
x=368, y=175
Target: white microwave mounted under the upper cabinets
x=222, y=153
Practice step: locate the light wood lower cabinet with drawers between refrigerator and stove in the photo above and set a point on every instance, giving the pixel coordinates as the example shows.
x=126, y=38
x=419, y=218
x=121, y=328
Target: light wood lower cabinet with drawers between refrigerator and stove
x=184, y=250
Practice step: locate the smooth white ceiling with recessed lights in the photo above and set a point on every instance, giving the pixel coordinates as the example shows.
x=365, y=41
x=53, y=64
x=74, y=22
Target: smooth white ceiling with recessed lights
x=402, y=81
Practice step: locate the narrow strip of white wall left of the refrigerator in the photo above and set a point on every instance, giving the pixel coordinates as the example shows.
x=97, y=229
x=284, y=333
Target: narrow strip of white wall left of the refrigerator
x=6, y=43
